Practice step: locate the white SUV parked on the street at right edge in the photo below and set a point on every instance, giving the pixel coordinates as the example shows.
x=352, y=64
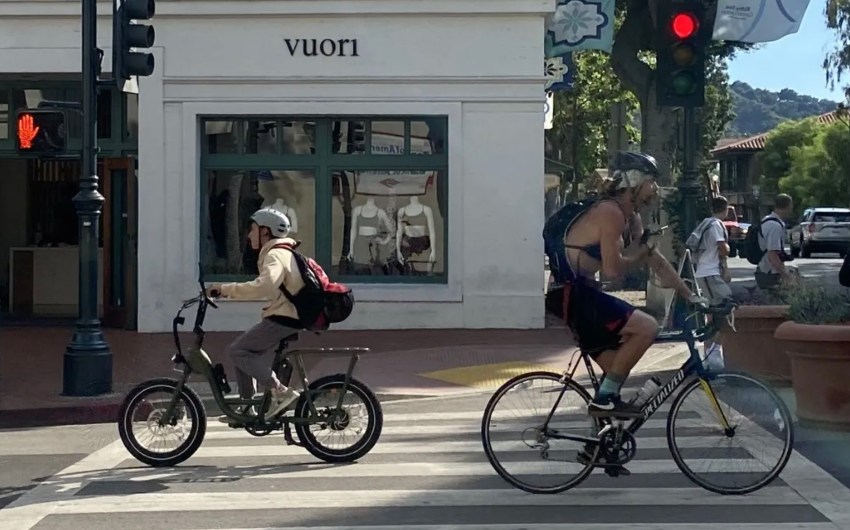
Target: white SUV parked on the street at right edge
x=821, y=230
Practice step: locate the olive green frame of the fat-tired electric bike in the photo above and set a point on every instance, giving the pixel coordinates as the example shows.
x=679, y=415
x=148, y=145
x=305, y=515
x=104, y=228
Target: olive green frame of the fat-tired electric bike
x=196, y=360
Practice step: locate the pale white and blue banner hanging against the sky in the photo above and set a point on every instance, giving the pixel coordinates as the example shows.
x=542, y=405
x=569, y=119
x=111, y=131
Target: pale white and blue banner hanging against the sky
x=758, y=20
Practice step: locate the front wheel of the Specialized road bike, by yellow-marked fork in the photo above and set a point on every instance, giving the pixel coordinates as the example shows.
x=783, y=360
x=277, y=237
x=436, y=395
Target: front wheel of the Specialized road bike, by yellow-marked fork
x=731, y=420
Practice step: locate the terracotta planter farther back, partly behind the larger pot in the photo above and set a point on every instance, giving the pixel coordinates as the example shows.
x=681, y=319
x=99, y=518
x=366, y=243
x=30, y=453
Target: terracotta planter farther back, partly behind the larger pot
x=753, y=348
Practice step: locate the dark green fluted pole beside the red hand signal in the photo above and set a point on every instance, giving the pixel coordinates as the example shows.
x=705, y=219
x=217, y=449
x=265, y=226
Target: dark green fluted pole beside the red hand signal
x=88, y=359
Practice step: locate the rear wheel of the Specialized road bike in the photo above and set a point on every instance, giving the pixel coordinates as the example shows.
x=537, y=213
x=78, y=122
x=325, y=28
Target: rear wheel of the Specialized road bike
x=521, y=427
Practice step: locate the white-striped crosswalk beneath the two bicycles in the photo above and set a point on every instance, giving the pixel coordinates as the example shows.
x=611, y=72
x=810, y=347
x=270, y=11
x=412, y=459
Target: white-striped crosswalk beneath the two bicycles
x=429, y=470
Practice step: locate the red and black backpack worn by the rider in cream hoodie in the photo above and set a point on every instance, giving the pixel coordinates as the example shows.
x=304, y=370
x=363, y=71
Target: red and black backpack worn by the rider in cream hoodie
x=320, y=302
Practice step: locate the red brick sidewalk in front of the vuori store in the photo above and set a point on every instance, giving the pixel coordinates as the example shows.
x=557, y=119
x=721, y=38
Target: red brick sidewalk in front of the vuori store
x=402, y=363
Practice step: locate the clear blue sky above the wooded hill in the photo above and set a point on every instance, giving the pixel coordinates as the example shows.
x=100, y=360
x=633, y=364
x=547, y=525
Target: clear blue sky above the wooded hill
x=804, y=51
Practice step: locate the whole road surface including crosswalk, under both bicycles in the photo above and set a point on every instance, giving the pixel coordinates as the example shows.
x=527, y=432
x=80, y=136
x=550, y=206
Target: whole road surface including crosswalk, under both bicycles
x=428, y=472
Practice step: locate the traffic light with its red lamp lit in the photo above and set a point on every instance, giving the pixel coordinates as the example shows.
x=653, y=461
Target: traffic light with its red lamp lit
x=680, y=53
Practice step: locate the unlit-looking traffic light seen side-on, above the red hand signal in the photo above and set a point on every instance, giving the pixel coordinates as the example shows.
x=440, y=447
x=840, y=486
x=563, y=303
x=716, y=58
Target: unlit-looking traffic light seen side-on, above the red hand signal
x=128, y=35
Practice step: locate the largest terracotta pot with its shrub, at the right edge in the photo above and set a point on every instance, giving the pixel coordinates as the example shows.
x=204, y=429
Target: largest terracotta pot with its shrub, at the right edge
x=816, y=339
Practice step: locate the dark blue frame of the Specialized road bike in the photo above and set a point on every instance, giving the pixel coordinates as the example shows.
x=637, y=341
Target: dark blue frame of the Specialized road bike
x=692, y=366
